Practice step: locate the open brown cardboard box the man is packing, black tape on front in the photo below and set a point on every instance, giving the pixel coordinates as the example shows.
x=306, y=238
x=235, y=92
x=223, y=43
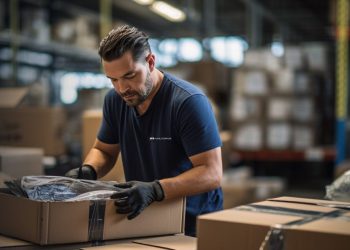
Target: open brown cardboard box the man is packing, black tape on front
x=68, y=222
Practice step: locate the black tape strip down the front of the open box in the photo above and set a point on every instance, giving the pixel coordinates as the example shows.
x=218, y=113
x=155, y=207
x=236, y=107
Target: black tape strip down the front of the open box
x=96, y=220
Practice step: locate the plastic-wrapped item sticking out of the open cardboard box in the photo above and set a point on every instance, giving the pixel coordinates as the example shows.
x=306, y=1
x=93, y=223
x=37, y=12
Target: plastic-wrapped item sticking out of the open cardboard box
x=58, y=188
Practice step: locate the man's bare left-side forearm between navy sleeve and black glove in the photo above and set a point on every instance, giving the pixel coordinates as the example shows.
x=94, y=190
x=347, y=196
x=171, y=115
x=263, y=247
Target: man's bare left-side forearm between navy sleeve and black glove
x=100, y=161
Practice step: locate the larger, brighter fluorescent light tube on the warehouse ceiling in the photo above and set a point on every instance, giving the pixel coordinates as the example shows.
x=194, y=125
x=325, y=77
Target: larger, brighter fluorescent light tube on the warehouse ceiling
x=168, y=11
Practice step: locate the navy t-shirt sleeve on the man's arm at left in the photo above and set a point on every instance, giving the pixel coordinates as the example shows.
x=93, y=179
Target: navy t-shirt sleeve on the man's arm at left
x=108, y=129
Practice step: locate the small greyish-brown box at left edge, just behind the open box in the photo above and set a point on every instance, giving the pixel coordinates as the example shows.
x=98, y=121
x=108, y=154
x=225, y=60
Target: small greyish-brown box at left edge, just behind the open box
x=18, y=162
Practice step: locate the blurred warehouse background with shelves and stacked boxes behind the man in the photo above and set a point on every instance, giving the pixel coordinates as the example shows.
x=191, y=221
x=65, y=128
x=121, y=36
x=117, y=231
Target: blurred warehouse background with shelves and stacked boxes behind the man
x=275, y=70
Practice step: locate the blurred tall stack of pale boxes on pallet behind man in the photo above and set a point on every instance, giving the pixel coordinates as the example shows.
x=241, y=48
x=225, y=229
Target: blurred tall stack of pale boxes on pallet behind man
x=276, y=108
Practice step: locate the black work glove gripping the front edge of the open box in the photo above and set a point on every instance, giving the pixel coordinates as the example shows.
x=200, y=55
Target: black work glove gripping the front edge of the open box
x=135, y=196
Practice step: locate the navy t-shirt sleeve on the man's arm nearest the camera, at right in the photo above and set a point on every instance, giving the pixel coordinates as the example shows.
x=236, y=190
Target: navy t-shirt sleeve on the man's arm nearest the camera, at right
x=197, y=125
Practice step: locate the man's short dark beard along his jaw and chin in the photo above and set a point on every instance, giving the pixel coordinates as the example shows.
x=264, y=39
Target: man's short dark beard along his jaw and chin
x=139, y=97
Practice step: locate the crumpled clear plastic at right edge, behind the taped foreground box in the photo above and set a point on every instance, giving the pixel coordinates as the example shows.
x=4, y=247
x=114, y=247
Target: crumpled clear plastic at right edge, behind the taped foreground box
x=339, y=190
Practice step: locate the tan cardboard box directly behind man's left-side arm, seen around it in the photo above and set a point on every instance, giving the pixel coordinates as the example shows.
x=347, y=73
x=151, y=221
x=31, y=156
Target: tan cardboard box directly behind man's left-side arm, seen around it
x=91, y=124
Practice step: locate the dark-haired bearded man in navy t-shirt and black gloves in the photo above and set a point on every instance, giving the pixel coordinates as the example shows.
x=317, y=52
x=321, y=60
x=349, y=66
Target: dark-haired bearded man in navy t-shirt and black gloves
x=164, y=128
